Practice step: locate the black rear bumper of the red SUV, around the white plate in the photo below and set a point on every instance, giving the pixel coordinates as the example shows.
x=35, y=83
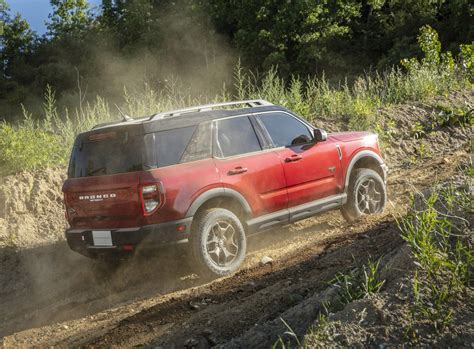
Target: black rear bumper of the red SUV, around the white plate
x=148, y=236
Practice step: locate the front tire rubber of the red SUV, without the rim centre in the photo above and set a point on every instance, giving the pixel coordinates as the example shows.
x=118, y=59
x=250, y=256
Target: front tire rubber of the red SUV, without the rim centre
x=351, y=210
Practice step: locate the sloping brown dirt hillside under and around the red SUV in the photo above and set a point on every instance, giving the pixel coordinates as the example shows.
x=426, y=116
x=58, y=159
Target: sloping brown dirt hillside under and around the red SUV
x=51, y=296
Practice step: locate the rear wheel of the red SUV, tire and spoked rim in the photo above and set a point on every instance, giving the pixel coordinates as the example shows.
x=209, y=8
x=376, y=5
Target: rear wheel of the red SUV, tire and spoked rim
x=216, y=255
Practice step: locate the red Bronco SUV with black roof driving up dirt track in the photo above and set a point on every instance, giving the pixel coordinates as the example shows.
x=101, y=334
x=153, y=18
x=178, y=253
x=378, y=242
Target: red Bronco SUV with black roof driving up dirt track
x=210, y=176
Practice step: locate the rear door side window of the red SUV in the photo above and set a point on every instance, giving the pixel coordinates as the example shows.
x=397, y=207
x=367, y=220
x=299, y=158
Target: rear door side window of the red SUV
x=236, y=136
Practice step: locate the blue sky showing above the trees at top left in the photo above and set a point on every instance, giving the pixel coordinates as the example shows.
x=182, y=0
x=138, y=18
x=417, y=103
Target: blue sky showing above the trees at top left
x=36, y=11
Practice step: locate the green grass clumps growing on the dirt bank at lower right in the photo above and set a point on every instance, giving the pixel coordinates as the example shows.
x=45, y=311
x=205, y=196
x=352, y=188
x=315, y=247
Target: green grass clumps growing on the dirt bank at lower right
x=440, y=240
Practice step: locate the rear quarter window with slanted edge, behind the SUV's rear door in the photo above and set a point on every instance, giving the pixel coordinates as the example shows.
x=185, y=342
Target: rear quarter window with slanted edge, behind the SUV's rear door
x=171, y=144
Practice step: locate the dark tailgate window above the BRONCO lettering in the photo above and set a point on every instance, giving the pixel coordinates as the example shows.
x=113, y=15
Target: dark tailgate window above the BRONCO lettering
x=107, y=156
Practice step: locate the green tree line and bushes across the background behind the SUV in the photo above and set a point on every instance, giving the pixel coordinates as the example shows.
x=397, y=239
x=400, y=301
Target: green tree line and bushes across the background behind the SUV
x=302, y=38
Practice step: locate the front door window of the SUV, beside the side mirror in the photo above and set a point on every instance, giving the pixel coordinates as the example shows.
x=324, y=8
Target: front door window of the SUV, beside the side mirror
x=285, y=130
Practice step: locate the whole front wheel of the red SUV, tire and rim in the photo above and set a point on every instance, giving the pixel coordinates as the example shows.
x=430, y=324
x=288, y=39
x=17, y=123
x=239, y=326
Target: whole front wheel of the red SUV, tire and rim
x=366, y=194
